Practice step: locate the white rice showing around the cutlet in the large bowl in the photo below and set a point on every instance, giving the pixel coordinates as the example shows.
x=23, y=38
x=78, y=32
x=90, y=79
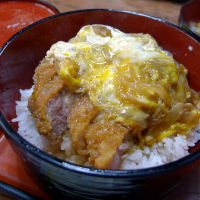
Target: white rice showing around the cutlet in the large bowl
x=170, y=149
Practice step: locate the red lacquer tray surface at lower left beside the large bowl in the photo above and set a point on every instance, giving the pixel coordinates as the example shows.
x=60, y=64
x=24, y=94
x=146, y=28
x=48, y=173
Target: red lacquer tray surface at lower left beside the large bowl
x=13, y=173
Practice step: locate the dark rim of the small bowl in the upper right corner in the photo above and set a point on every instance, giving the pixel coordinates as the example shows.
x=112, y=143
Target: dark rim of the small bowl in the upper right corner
x=182, y=21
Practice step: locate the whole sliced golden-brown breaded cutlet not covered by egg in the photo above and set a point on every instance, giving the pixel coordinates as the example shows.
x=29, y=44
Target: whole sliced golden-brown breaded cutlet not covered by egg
x=57, y=110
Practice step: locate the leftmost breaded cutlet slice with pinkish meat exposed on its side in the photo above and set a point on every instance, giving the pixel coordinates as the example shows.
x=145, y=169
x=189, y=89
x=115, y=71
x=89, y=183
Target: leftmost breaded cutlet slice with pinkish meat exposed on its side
x=50, y=100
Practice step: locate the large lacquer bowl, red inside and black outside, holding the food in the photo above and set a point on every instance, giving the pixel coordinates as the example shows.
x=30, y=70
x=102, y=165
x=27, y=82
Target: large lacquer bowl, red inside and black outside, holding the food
x=18, y=59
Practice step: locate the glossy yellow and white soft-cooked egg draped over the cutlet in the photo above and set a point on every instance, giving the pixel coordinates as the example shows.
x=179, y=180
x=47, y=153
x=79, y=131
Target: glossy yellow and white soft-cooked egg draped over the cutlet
x=130, y=79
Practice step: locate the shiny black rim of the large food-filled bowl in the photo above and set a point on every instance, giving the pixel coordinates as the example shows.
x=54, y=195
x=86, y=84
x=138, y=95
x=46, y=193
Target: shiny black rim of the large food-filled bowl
x=10, y=133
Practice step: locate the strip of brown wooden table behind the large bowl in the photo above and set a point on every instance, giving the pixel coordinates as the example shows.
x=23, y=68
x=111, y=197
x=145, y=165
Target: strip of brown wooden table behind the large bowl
x=167, y=10
